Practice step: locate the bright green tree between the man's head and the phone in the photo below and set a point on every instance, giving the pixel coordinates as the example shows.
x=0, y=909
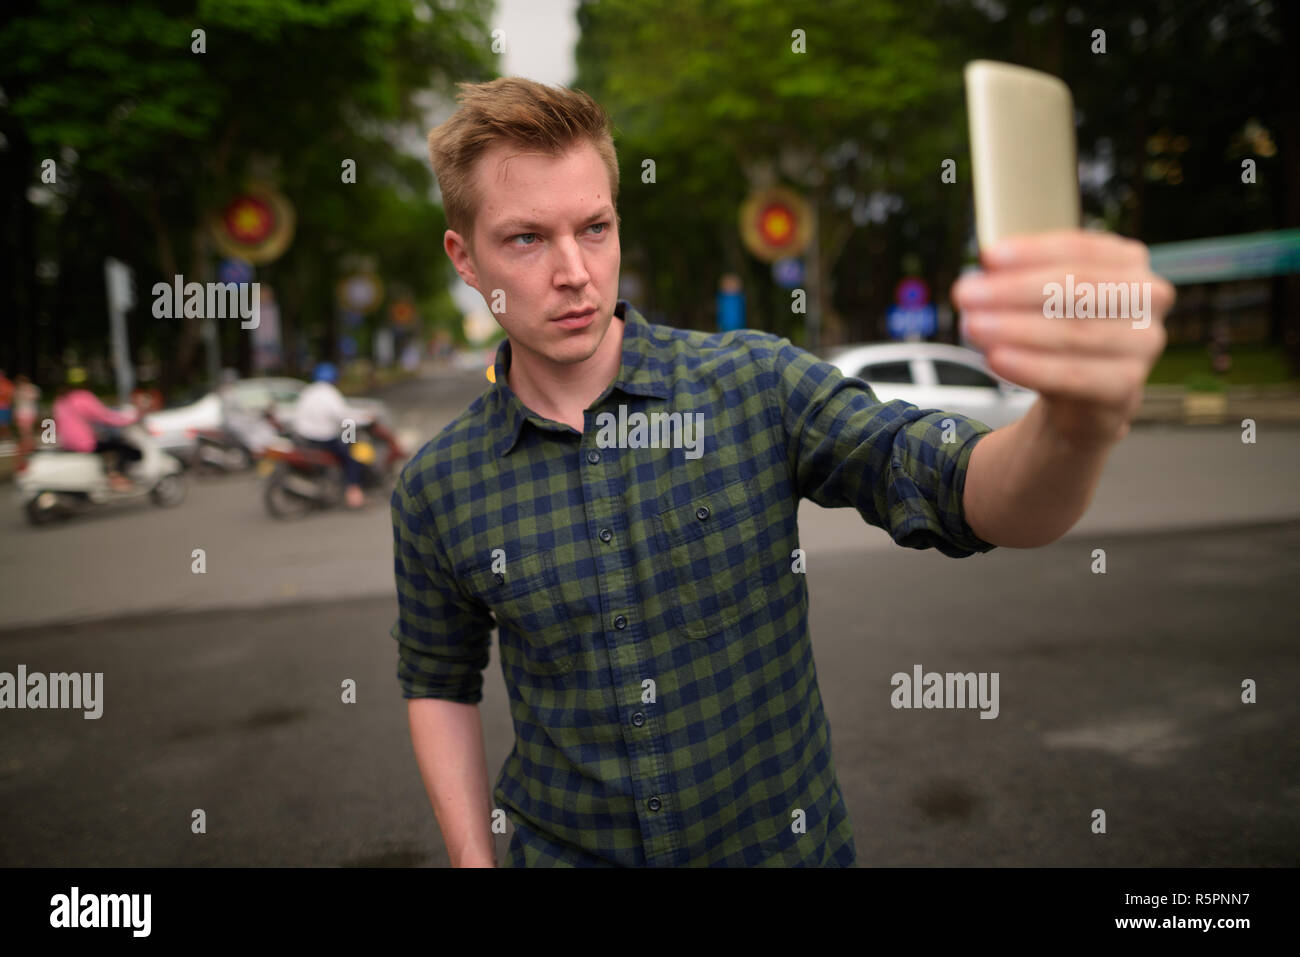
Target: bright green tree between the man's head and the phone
x=734, y=93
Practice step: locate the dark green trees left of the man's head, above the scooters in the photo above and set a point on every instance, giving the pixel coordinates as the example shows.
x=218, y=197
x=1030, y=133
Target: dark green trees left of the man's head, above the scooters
x=151, y=136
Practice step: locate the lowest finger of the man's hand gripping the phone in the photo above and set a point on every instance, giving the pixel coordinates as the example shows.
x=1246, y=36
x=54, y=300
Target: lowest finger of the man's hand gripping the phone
x=1102, y=380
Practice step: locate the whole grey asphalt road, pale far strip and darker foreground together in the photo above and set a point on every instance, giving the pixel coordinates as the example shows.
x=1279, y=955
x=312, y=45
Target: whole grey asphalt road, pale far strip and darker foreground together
x=1119, y=692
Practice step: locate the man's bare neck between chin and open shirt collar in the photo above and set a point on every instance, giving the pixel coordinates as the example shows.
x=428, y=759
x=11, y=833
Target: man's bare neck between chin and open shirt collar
x=565, y=392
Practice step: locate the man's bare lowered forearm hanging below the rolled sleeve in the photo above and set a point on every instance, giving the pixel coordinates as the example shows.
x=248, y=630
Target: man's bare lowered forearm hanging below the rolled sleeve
x=448, y=738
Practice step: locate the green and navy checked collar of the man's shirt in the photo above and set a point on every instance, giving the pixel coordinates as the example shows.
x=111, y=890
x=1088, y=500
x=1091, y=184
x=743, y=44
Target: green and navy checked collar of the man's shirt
x=643, y=373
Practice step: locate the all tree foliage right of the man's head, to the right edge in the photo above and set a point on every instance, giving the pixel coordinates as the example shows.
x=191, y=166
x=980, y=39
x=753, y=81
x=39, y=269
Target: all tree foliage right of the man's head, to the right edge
x=865, y=118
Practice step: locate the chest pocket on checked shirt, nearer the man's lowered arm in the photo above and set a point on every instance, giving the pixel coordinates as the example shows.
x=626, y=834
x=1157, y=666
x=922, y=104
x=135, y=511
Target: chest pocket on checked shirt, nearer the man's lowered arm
x=531, y=616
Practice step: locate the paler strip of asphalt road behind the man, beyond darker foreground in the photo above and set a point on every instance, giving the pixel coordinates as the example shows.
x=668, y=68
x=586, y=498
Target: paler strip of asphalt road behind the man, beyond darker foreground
x=140, y=558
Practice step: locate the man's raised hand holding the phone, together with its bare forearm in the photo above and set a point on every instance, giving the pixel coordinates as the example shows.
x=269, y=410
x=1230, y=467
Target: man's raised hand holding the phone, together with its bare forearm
x=1046, y=315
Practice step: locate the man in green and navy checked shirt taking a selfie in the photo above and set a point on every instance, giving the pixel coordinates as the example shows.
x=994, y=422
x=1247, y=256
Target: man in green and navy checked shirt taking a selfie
x=653, y=633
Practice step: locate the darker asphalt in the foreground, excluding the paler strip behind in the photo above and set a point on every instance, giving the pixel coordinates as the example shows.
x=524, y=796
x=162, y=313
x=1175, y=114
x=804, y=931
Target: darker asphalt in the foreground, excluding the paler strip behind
x=1120, y=692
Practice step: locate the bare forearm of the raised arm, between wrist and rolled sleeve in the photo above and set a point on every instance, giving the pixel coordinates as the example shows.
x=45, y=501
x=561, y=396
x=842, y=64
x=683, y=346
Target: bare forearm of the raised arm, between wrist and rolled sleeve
x=1026, y=487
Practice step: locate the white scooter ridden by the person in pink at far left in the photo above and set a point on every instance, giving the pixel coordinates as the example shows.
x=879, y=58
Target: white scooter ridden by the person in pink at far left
x=57, y=483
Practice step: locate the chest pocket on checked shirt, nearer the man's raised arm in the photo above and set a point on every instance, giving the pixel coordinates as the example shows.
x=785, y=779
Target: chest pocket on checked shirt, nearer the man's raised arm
x=713, y=551
